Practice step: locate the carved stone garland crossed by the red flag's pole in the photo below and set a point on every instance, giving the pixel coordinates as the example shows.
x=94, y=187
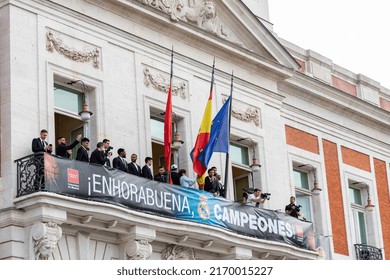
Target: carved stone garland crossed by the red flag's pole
x=161, y=83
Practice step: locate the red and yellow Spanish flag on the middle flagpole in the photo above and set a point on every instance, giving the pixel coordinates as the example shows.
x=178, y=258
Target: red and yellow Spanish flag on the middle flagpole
x=203, y=137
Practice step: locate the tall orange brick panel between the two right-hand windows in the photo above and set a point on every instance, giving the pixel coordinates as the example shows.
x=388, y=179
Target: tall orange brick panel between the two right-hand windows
x=335, y=197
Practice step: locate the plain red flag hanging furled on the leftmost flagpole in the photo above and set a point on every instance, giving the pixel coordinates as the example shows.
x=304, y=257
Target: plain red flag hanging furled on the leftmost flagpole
x=168, y=127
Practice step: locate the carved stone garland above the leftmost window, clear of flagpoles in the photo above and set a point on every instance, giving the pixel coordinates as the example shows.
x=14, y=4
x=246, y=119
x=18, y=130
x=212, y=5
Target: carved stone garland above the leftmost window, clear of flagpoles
x=56, y=43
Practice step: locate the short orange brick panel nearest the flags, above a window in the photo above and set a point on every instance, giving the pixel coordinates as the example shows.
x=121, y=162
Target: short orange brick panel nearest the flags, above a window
x=301, y=139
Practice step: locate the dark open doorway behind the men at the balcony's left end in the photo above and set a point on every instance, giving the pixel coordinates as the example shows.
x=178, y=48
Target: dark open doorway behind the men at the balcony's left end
x=69, y=128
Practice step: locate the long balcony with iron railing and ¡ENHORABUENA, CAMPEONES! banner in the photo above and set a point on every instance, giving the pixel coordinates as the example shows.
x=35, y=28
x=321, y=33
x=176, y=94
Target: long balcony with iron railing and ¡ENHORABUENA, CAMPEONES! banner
x=69, y=186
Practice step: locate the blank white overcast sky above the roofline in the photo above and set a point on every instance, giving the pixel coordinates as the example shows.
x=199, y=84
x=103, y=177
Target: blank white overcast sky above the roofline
x=354, y=34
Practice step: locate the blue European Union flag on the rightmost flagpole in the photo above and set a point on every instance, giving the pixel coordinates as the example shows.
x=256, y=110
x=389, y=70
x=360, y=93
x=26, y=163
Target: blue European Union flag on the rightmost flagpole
x=219, y=135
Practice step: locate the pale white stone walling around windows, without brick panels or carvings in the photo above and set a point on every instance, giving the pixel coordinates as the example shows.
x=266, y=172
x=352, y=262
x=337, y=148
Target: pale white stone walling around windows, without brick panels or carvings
x=130, y=39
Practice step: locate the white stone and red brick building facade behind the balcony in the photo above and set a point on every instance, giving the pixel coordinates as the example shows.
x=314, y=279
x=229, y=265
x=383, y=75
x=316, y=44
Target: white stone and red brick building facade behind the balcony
x=319, y=131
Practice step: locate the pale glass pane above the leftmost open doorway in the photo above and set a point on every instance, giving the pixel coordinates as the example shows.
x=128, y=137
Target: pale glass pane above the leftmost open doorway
x=67, y=99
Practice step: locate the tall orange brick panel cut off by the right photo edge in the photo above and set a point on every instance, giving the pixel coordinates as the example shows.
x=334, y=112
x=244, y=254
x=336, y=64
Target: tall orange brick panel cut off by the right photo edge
x=384, y=202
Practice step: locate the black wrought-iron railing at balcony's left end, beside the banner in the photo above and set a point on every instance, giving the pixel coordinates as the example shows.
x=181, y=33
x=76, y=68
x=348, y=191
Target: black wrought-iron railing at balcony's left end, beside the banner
x=30, y=174
